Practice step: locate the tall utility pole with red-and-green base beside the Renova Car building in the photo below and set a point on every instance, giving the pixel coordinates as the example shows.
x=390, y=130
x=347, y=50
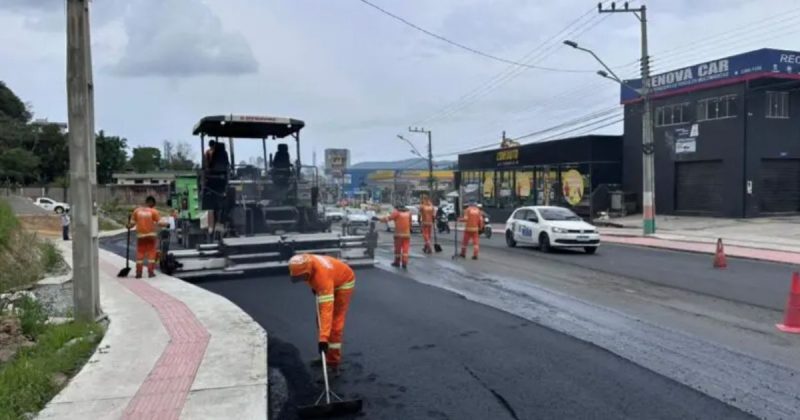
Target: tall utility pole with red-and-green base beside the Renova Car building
x=648, y=143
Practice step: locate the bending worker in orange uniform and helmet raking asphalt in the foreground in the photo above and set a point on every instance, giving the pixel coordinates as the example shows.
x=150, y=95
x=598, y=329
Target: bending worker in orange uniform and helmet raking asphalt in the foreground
x=332, y=282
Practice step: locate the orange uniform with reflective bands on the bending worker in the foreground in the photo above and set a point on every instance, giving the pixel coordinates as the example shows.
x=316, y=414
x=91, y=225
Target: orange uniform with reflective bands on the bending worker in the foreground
x=328, y=276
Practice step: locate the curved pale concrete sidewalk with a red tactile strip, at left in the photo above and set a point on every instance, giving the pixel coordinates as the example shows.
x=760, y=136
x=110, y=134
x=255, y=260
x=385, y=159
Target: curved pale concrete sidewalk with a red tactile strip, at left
x=172, y=350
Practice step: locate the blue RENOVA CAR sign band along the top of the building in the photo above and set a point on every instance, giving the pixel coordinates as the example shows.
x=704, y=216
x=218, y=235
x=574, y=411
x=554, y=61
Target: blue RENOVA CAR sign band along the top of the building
x=751, y=65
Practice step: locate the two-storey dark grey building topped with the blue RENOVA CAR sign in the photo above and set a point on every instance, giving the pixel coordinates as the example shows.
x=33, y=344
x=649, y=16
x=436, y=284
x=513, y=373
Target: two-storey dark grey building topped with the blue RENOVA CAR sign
x=727, y=137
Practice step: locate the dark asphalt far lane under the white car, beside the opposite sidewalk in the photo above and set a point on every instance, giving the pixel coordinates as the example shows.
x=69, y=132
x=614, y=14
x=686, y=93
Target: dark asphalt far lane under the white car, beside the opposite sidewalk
x=758, y=283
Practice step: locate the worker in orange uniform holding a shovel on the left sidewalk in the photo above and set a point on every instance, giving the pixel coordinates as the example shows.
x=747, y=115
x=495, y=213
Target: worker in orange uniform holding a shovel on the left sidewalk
x=146, y=219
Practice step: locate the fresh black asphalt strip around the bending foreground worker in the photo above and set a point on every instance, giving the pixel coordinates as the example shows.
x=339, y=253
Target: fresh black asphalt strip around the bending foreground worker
x=413, y=352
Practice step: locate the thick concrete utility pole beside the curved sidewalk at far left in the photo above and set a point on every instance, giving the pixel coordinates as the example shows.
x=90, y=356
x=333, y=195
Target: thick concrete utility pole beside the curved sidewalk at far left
x=83, y=170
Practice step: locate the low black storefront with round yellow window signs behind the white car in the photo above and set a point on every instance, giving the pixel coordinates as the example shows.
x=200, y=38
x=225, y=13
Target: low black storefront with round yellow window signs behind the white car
x=560, y=172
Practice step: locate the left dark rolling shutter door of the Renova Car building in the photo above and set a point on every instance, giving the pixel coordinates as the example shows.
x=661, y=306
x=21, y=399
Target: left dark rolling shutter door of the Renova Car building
x=698, y=187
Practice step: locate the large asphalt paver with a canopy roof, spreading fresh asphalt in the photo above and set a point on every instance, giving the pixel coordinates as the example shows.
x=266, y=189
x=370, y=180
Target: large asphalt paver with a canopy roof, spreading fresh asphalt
x=246, y=218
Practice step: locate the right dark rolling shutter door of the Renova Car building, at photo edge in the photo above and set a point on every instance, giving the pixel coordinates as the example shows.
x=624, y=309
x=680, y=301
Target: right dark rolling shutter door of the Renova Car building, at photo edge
x=780, y=186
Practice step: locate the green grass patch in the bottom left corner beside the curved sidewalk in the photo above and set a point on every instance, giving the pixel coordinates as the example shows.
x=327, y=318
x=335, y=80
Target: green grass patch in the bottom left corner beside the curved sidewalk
x=30, y=380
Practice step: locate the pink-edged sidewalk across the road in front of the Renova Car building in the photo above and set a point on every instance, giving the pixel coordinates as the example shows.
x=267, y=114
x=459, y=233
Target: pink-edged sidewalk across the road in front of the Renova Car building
x=774, y=239
